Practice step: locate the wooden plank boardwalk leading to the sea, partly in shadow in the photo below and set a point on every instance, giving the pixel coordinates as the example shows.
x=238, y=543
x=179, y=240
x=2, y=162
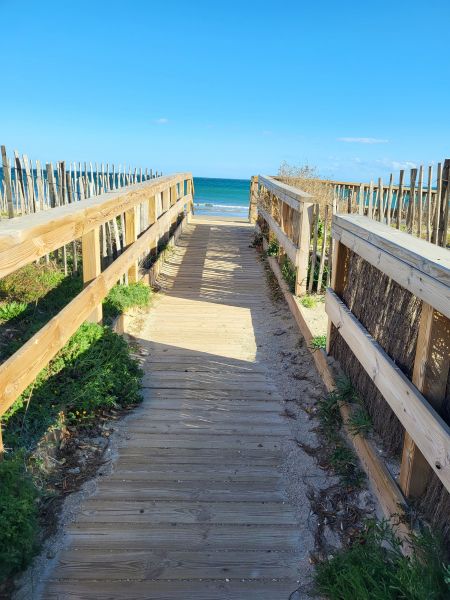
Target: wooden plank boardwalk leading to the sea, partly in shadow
x=195, y=507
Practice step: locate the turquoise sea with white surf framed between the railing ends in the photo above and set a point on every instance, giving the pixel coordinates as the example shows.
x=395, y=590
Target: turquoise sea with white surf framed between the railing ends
x=221, y=197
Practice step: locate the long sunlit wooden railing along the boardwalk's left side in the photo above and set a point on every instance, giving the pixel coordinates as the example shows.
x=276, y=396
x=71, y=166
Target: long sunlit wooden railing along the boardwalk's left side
x=157, y=204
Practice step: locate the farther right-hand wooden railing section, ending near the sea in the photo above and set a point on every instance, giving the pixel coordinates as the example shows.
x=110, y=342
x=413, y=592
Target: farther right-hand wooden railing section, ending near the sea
x=289, y=214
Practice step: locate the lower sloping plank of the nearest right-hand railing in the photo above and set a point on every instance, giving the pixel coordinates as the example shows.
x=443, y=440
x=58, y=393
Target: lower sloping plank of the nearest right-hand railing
x=430, y=433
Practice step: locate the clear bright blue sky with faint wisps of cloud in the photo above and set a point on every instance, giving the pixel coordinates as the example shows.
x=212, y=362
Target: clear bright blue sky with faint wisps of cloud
x=228, y=88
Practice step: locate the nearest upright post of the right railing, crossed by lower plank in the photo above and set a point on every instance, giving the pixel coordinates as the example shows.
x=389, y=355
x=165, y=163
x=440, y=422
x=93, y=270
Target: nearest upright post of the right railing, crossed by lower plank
x=431, y=368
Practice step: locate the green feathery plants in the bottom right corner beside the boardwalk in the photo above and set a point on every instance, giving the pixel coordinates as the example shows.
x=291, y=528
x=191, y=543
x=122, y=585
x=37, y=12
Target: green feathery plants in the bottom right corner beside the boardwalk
x=374, y=568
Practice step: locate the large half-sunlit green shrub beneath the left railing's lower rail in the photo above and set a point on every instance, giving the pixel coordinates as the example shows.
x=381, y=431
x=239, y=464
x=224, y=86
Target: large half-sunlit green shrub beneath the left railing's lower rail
x=94, y=371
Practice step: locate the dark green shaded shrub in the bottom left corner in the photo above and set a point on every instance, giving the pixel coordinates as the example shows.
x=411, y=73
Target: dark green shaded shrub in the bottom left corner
x=18, y=516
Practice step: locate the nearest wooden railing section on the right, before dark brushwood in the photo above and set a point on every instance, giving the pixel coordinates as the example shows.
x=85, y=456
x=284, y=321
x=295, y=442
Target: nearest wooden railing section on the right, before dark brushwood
x=424, y=270
